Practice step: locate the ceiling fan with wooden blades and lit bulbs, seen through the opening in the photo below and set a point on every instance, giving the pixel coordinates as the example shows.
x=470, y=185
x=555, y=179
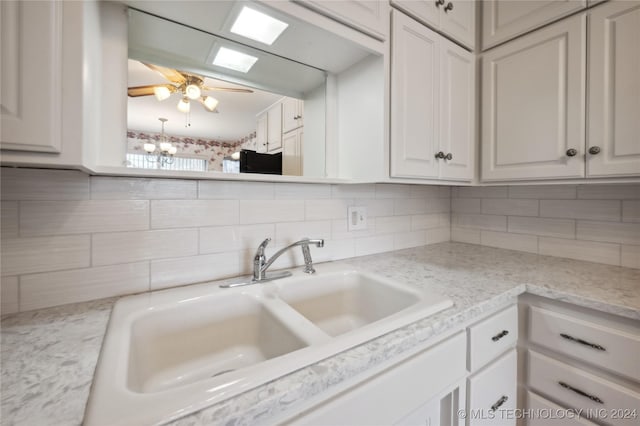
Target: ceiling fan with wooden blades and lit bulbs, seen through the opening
x=189, y=86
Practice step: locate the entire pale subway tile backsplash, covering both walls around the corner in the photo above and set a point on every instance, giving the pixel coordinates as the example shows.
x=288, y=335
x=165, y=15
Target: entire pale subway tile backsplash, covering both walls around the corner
x=69, y=237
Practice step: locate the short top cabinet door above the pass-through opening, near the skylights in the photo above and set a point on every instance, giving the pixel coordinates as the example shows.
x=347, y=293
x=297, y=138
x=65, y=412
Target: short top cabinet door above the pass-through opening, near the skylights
x=368, y=16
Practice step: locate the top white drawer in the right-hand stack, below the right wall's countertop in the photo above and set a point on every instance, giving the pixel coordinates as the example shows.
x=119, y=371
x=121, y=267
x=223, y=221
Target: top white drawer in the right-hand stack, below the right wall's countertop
x=603, y=346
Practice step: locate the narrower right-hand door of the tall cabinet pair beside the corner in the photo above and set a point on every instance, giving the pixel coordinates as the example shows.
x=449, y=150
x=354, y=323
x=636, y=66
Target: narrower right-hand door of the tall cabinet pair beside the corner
x=457, y=111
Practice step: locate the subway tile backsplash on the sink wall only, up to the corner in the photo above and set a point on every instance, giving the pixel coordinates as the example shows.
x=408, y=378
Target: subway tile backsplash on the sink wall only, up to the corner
x=69, y=237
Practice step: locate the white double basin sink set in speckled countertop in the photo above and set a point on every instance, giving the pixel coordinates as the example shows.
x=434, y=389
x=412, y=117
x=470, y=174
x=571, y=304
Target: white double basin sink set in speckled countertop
x=173, y=352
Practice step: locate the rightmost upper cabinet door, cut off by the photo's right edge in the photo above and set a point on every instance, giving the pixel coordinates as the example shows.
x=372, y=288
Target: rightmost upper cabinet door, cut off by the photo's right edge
x=614, y=90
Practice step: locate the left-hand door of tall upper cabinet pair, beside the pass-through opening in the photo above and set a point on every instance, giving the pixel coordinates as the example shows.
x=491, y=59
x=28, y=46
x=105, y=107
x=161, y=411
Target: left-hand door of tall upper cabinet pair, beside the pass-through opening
x=414, y=98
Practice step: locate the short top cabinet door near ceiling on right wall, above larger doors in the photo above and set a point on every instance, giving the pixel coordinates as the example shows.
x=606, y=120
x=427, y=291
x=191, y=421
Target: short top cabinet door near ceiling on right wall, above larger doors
x=503, y=20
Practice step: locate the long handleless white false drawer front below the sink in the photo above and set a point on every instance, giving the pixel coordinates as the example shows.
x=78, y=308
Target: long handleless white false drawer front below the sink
x=391, y=395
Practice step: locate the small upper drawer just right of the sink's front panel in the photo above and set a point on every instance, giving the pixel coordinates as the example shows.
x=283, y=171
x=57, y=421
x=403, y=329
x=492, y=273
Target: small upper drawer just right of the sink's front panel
x=492, y=336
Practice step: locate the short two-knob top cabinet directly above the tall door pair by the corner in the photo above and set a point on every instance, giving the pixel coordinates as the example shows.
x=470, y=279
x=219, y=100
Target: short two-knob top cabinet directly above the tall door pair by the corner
x=455, y=18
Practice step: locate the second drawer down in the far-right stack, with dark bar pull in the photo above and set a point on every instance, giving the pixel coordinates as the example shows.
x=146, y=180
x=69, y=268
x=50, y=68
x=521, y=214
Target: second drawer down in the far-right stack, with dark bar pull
x=578, y=389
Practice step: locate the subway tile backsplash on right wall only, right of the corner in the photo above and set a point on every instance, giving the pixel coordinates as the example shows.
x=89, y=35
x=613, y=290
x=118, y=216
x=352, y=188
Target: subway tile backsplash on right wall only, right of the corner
x=596, y=223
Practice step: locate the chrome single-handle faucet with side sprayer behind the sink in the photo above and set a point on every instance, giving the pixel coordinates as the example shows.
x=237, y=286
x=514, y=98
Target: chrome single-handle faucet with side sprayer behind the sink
x=261, y=264
